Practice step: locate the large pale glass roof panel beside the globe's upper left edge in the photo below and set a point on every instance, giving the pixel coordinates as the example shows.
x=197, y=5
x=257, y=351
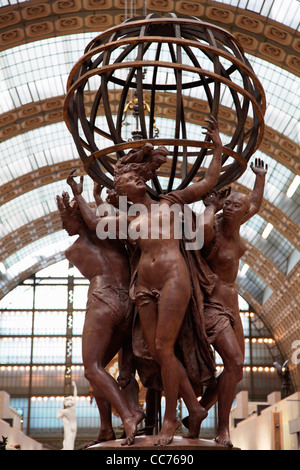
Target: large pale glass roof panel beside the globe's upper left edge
x=38, y=70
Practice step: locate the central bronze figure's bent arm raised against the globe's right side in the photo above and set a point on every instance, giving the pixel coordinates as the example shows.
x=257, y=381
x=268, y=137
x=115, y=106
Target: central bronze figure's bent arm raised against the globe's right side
x=195, y=191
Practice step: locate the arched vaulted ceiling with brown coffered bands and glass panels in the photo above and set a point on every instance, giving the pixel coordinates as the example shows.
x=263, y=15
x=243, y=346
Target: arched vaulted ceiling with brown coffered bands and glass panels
x=40, y=42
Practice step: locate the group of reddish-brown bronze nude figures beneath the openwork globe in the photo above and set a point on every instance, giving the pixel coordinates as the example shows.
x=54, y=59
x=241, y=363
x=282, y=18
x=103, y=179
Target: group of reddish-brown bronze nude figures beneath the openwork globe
x=163, y=306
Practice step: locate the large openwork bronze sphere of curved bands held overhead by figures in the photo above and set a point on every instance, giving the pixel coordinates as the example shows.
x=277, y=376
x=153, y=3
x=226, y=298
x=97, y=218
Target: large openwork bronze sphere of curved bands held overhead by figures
x=163, y=76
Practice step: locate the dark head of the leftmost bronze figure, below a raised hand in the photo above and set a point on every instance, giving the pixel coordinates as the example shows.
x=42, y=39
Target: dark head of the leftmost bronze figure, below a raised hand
x=71, y=217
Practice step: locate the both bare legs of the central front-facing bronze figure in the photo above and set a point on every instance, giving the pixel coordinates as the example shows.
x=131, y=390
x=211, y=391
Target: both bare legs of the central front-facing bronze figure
x=161, y=325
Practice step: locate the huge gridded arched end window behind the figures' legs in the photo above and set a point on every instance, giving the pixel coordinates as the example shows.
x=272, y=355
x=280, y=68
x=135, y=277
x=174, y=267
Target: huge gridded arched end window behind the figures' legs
x=35, y=361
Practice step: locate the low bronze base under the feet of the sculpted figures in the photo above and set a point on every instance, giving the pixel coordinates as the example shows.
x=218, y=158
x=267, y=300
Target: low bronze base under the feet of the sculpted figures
x=179, y=443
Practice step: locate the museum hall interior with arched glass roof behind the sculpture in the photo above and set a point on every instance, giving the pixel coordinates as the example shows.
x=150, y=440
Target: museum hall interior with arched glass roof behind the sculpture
x=43, y=296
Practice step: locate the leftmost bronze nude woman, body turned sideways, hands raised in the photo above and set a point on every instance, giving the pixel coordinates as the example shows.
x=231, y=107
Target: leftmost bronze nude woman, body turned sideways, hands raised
x=108, y=320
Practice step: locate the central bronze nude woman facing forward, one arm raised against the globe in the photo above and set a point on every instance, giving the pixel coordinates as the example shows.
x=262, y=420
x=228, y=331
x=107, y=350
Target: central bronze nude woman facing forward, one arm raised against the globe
x=163, y=289
